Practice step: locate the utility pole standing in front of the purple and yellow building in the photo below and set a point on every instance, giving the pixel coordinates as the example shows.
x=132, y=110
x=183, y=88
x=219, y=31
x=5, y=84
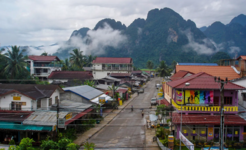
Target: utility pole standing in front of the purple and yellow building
x=222, y=117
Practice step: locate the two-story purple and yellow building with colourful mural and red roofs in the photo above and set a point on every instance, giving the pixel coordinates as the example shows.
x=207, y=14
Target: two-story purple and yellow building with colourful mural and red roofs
x=199, y=102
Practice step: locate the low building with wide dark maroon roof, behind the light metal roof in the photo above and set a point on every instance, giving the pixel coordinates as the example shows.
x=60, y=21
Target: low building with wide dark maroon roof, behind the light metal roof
x=69, y=78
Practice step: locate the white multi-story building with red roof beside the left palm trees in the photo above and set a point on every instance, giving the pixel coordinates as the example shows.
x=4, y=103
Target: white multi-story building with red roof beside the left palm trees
x=42, y=66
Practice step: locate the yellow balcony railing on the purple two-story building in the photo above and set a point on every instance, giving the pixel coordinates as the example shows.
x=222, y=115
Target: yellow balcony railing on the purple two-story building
x=204, y=108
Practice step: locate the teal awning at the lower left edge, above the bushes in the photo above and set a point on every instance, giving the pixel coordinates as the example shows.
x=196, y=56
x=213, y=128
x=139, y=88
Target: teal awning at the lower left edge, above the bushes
x=16, y=126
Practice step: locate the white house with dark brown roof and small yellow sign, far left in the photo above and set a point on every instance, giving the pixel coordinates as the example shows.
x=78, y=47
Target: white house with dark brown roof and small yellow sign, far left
x=28, y=97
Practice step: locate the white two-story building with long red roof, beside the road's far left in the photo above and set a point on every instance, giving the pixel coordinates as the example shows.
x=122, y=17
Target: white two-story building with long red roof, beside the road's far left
x=104, y=66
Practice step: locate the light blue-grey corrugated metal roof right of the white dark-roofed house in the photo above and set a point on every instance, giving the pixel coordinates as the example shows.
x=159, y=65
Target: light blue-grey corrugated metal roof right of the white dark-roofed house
x=84, y=91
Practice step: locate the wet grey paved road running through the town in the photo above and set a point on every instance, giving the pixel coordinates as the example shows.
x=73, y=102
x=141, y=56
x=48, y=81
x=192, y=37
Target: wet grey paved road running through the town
x=127, y=130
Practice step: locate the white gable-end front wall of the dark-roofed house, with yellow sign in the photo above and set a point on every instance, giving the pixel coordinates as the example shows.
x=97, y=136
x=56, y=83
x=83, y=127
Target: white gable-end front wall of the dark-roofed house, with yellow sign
x=6, y=100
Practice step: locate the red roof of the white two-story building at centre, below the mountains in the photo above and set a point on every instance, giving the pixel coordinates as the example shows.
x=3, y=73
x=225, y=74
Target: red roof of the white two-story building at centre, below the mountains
x=113, y=60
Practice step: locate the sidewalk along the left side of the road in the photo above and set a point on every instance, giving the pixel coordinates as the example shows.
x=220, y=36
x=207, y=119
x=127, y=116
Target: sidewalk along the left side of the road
x=82, y=138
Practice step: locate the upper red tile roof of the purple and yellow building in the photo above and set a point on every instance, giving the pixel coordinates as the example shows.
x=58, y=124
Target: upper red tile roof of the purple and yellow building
x=202, y=80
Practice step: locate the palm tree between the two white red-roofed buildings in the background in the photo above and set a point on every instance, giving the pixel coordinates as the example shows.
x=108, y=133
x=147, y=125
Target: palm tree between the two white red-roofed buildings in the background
x=77, y=59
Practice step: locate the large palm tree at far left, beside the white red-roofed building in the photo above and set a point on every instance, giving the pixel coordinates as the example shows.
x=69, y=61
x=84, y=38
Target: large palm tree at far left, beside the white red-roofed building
x=14, y=62
